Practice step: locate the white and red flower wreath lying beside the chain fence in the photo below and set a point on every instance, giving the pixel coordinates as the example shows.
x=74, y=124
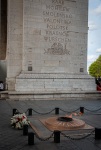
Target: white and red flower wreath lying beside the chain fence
x=18, y=120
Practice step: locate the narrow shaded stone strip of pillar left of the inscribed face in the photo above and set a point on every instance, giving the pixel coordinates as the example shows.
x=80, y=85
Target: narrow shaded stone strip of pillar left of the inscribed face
x=14, y=41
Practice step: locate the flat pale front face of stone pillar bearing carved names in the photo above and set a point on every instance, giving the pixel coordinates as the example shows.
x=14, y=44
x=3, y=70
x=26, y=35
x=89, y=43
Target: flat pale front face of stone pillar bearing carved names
x=52, y=28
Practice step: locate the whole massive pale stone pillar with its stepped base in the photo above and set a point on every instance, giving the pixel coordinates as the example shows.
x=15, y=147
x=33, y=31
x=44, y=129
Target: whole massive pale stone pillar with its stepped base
x=47, y=48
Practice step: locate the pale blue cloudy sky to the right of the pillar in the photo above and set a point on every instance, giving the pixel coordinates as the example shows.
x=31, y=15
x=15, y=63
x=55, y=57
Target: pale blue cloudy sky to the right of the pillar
x=94, y=32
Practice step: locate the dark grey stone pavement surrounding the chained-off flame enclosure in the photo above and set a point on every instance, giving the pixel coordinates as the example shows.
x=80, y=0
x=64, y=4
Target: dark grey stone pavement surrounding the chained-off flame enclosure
x=12, y=139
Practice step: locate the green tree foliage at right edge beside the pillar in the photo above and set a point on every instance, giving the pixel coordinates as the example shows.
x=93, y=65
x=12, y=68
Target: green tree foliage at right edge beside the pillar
x=95, y=68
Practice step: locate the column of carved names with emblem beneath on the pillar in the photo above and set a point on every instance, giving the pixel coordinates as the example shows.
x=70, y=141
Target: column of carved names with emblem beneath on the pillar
x=57, y=18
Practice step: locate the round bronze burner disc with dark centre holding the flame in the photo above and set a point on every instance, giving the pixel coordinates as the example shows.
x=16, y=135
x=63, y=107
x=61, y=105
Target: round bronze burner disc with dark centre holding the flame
x=63, y=123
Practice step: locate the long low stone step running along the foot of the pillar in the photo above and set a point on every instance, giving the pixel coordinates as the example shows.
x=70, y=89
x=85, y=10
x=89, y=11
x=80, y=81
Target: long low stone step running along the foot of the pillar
x=40, y=95
